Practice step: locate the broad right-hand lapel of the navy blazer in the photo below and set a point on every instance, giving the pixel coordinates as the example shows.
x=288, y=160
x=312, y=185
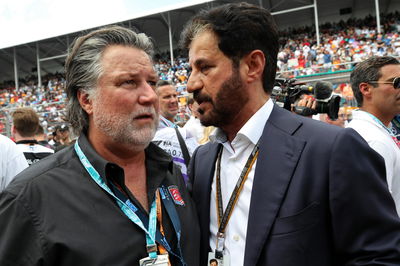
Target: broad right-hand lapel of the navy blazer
x=276, y=162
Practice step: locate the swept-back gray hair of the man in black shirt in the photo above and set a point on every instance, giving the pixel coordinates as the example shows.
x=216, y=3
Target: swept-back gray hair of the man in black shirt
x=83, y=66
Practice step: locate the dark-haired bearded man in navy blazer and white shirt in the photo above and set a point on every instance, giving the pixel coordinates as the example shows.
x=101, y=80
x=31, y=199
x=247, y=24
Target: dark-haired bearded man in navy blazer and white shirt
x=274, y=188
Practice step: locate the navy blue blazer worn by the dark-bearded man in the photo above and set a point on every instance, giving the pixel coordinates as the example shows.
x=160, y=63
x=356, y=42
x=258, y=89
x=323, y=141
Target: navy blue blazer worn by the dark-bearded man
x=319, y=198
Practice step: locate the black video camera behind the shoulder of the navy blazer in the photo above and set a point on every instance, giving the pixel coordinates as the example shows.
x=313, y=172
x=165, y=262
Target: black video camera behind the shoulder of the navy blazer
x=287, y=91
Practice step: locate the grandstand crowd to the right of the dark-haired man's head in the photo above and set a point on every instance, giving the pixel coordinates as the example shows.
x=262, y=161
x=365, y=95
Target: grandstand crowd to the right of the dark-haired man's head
x=342, y=45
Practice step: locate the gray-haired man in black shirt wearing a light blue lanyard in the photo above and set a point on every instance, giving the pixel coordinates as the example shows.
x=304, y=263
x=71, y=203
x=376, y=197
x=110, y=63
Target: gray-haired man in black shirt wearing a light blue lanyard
x=113, y=198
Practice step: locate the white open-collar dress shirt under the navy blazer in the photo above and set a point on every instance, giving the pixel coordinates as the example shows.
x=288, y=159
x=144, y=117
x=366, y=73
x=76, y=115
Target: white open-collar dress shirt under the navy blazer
x=233, y=159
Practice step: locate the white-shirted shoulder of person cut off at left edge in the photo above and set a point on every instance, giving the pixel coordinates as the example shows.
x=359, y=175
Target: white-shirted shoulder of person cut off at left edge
x=12, y=161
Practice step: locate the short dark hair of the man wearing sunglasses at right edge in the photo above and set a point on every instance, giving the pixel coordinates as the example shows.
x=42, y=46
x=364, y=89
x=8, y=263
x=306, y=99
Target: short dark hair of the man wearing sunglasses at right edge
x=369, y=70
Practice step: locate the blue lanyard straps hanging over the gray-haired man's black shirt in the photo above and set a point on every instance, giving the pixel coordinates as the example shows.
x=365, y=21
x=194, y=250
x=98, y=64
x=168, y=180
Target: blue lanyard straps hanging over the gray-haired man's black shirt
x=134, y=214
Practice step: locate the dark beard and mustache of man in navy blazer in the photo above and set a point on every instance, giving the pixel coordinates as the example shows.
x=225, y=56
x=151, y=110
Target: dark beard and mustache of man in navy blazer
x=226, y=104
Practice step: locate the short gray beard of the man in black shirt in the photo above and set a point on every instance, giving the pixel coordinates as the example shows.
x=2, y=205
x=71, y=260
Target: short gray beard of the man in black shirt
x=123, y=128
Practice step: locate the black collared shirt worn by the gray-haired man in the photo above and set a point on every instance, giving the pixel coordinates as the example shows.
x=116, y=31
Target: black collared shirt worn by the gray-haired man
x=53, y=213
